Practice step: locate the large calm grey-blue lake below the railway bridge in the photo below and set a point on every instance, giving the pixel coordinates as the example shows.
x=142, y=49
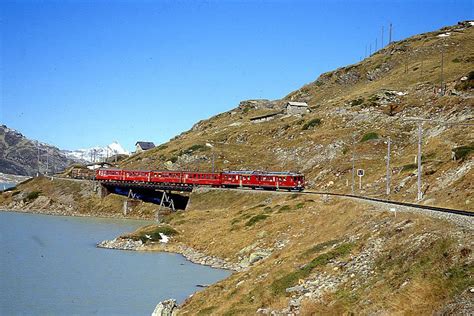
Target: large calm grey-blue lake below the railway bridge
x=50, y=265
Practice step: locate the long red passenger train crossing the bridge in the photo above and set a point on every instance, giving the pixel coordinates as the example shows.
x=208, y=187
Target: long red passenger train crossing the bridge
x=230, y=179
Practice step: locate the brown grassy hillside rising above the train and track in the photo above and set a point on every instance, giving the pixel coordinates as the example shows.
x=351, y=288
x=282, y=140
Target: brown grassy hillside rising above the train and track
x=371, y=99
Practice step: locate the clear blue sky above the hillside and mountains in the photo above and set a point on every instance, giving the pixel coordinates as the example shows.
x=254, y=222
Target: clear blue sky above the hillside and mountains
x=81, y=73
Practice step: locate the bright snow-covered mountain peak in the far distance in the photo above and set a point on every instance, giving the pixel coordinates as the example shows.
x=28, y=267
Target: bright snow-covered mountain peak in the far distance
x=97, y=153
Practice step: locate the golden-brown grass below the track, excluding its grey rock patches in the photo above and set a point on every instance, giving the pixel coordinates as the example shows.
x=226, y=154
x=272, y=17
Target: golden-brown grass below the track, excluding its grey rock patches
x=314, y=230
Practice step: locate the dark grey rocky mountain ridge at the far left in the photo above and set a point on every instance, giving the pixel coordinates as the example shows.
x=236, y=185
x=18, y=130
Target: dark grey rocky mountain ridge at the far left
x=22, y=156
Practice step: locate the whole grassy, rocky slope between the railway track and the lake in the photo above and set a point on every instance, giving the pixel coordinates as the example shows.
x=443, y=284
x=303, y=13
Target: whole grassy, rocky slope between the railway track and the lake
x=325, y=256
